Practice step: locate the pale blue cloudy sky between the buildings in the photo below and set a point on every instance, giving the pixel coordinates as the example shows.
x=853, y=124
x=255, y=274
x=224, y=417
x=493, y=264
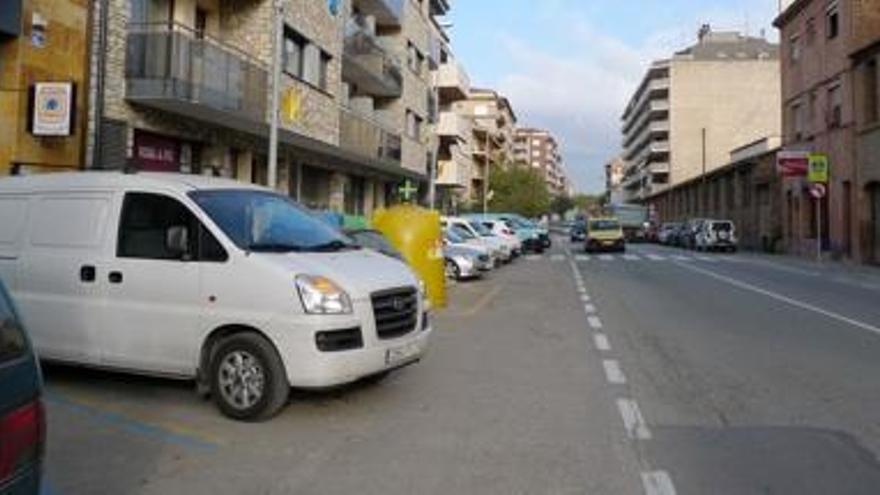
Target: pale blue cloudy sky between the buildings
x=570, y=66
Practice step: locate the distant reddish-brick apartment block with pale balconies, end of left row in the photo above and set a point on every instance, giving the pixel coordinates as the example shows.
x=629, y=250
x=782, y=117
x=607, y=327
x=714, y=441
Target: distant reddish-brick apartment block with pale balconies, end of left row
x=539, y=150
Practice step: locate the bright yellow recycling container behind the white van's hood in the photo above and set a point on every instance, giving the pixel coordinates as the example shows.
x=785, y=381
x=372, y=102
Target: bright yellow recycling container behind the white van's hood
x=415, y=232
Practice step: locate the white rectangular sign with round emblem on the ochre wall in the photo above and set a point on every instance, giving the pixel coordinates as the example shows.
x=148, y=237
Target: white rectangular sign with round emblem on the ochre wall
x=53, y=104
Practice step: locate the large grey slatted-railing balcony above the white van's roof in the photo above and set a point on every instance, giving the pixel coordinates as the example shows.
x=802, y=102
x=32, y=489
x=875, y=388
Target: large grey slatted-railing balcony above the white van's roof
x=171, y=68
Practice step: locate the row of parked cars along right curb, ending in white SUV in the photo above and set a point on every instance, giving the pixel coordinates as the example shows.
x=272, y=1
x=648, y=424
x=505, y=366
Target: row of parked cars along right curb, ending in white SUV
x=701, y=234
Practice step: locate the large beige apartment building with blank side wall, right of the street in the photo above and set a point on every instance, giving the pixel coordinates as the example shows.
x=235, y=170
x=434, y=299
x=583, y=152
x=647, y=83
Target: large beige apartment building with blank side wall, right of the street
x=691, y=109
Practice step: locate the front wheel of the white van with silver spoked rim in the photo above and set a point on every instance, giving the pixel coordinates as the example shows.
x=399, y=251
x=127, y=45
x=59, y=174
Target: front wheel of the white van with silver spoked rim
x=248, y=381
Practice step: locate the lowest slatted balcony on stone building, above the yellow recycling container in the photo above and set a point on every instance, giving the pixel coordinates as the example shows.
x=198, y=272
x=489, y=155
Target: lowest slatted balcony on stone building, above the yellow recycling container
x=366, y=137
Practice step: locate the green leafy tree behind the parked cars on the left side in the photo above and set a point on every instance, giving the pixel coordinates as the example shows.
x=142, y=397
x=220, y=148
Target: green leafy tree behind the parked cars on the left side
x=518, y=190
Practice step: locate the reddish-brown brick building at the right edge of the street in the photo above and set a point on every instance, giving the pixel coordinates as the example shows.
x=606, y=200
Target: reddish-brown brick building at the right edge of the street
x=821, y=85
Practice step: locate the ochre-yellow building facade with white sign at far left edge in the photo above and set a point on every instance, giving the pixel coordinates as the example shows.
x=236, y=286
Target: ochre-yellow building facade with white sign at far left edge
x=42, y=99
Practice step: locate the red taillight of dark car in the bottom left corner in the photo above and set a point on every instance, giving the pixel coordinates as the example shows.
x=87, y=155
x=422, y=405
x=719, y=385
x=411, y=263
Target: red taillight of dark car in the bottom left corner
x=22, y=437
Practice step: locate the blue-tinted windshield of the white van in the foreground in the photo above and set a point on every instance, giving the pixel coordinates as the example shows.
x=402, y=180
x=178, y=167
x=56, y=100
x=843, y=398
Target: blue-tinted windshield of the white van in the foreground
x=268, y=222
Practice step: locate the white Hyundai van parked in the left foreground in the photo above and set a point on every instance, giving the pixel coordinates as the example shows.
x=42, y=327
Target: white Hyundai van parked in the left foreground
x=201, y=278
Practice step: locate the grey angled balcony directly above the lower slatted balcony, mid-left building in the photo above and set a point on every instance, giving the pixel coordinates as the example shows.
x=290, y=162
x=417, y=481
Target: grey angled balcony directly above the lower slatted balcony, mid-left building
x=367, y=64
